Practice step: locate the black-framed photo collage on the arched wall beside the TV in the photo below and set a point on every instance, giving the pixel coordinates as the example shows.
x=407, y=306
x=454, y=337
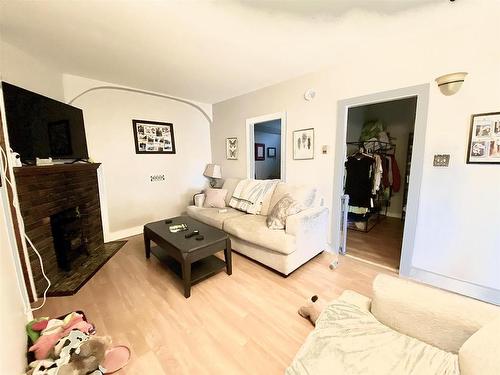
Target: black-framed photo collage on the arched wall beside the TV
x=152, y=137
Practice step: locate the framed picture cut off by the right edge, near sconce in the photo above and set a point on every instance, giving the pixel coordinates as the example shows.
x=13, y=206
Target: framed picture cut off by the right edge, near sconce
x=484, y=139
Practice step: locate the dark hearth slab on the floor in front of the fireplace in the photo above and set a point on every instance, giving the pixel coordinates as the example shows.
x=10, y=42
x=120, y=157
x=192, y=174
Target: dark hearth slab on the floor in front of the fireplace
x=83, y=268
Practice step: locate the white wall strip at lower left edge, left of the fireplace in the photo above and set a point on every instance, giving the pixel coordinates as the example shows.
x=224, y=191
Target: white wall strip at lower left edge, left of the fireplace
x=13, y=348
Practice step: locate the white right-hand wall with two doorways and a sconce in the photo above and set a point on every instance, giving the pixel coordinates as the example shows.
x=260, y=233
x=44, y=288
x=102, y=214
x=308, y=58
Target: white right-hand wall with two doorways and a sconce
x=458, y=234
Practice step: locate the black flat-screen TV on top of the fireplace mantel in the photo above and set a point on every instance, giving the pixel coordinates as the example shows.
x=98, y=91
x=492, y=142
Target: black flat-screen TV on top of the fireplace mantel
x=40, y=127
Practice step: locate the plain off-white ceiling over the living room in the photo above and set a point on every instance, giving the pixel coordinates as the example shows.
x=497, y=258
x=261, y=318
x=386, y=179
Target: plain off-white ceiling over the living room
x=202, y=50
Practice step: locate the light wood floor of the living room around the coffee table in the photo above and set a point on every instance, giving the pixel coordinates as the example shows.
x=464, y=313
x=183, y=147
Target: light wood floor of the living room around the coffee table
x=246, y=323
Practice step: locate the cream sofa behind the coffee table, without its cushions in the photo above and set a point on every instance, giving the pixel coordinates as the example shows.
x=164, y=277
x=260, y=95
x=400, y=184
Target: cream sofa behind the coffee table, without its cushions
x=304, y=237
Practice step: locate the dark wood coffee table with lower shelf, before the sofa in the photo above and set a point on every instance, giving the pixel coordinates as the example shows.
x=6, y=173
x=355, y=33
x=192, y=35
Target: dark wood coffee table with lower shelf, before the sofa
x=191, y=259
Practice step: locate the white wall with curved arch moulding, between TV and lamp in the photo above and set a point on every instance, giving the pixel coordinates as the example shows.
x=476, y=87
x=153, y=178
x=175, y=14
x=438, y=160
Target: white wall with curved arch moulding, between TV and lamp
x=129, y=200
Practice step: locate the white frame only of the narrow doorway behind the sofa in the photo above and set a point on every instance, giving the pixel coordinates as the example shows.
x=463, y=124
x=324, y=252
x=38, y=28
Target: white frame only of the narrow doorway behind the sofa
x=250, y=124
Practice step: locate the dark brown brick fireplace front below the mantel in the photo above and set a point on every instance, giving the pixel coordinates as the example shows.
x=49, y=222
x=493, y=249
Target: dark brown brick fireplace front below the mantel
x=66, y=195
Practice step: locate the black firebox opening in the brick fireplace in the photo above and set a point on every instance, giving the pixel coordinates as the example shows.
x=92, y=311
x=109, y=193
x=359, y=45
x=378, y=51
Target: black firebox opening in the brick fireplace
x=68, y=235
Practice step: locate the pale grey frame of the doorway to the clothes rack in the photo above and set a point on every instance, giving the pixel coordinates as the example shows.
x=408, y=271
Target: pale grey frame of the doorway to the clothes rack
x=415, y=183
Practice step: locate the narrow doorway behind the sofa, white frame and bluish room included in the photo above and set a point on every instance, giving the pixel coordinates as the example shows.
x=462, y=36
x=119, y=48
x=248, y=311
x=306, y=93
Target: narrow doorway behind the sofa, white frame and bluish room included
x=266, y=147
